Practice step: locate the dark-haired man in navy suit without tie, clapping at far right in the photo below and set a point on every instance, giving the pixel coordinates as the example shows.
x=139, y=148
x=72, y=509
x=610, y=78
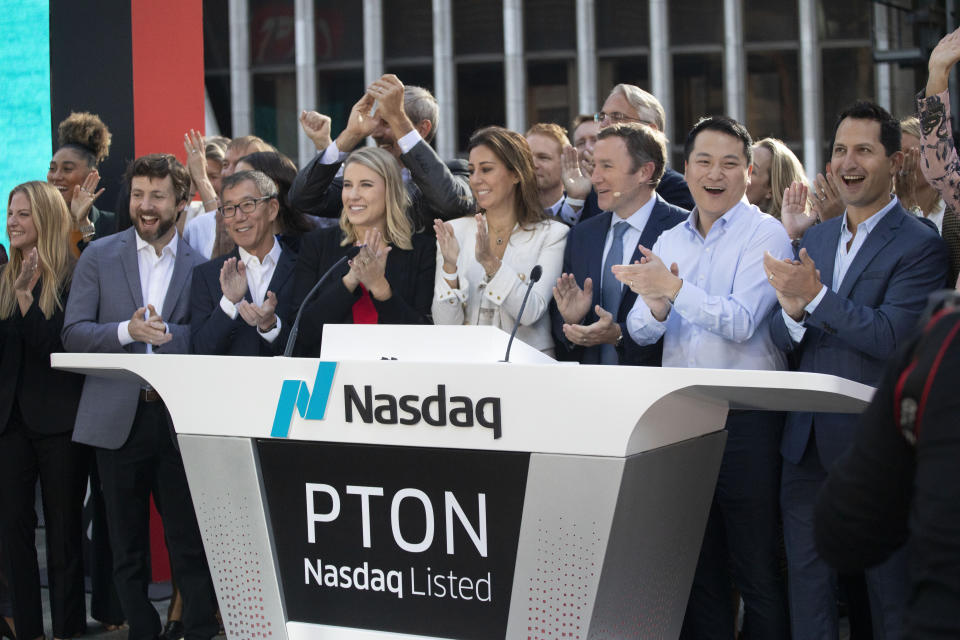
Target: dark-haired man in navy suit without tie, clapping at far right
x=854, y=296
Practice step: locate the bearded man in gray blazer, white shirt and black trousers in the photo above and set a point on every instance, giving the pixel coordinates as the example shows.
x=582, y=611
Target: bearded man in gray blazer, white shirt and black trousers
x=131, y=292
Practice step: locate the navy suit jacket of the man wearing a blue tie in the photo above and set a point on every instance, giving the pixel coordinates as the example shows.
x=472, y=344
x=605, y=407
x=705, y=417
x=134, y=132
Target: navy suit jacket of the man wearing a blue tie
x=583, y=257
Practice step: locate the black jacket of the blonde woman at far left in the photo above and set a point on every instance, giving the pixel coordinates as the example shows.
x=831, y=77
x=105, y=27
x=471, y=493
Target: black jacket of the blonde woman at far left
x=48, y=397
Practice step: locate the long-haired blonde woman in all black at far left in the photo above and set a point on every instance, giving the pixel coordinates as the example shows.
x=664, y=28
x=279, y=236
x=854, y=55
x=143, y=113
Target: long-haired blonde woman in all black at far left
x=38, y=406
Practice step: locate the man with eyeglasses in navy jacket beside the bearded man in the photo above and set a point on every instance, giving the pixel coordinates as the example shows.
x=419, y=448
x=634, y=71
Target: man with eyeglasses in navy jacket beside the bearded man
x=241, y=302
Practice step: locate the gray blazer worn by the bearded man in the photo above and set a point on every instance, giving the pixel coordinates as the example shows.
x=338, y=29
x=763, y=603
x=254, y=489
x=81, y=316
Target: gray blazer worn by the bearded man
x=105, y=292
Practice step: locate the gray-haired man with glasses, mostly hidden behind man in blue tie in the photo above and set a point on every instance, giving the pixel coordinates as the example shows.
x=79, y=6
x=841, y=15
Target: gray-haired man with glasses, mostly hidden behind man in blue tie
x=630, y=103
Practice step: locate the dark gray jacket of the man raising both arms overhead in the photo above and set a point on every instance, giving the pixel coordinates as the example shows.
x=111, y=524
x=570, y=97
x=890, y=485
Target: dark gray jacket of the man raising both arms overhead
x=436, y=189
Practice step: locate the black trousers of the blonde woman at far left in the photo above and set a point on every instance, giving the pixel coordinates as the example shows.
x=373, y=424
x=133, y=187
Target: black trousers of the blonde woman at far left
x=61, y=467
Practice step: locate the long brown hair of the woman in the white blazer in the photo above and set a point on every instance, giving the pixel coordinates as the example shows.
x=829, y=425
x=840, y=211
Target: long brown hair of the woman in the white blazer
x=514, y=152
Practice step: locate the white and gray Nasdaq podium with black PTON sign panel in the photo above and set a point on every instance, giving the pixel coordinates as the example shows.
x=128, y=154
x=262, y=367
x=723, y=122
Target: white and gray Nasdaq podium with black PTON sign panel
x=369, y=499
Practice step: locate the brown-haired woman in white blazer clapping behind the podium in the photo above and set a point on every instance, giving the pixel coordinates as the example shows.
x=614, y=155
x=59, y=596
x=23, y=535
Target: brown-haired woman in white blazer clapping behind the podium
x=484, y=261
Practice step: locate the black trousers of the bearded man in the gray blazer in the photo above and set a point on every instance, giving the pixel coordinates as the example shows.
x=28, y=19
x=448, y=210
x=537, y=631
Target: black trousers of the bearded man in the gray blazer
x=149, y=463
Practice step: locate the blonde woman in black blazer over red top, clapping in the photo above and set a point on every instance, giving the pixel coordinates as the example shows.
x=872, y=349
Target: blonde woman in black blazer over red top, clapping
x=391, y=280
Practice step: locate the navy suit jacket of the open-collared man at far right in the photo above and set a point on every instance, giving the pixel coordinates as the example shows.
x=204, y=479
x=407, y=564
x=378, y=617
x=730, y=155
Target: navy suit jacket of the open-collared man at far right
x=855, y=330
